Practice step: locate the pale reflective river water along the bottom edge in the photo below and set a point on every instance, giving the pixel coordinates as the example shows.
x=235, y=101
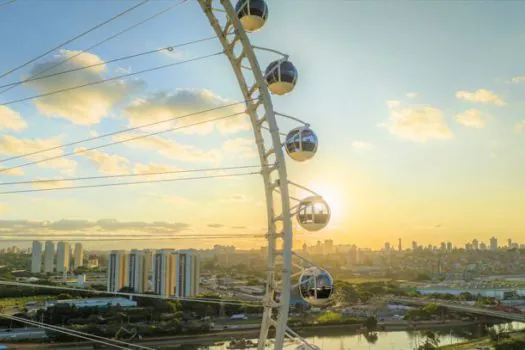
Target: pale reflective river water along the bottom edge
x=339, y=339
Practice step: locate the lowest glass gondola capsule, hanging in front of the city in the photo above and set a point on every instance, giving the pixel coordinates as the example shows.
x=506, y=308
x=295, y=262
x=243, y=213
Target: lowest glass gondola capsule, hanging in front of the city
x=316, y=286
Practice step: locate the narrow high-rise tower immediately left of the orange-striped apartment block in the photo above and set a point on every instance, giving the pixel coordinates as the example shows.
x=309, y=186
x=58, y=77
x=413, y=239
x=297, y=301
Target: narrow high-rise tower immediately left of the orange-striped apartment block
x=138, y=270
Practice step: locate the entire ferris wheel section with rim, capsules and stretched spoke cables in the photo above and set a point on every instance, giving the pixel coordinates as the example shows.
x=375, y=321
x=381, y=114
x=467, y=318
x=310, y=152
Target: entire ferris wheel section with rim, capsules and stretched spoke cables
x=285, y=269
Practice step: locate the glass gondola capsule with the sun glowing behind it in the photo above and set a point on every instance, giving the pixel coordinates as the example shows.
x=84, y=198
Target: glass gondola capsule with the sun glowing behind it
x=313, y=213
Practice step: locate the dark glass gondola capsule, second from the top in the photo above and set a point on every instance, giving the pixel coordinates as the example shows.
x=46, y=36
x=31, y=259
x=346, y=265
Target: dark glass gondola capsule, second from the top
x=281, y=77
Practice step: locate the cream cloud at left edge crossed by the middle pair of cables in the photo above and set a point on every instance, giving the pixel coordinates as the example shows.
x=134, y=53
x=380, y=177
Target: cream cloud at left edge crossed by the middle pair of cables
x=13, y=146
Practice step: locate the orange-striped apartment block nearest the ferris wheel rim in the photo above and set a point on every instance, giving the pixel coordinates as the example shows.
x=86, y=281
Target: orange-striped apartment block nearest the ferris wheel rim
x=176, y=273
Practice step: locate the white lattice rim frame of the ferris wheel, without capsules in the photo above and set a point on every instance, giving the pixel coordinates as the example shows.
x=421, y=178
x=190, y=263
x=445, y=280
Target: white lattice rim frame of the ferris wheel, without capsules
x=231, y=35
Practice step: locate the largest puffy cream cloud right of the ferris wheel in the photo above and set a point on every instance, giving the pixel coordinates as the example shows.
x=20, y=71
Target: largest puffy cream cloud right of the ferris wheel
x=418, y=124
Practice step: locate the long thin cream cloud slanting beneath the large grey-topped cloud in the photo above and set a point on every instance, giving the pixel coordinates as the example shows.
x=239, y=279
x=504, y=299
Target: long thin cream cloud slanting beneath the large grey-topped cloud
x=172, y=149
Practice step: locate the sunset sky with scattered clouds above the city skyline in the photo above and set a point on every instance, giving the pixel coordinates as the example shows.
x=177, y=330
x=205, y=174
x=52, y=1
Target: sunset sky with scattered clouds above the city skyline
x=418, y=107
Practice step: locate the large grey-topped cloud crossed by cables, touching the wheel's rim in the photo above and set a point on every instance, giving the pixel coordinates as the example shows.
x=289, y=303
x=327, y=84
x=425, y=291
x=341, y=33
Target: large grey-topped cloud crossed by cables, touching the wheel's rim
x=162, y=106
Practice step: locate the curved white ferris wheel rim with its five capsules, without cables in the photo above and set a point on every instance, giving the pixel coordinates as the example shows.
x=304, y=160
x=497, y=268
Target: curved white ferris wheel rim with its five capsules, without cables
x=312, y=213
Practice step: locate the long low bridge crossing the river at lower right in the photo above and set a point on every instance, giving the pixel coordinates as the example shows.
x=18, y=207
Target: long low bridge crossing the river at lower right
x=460, y=307
